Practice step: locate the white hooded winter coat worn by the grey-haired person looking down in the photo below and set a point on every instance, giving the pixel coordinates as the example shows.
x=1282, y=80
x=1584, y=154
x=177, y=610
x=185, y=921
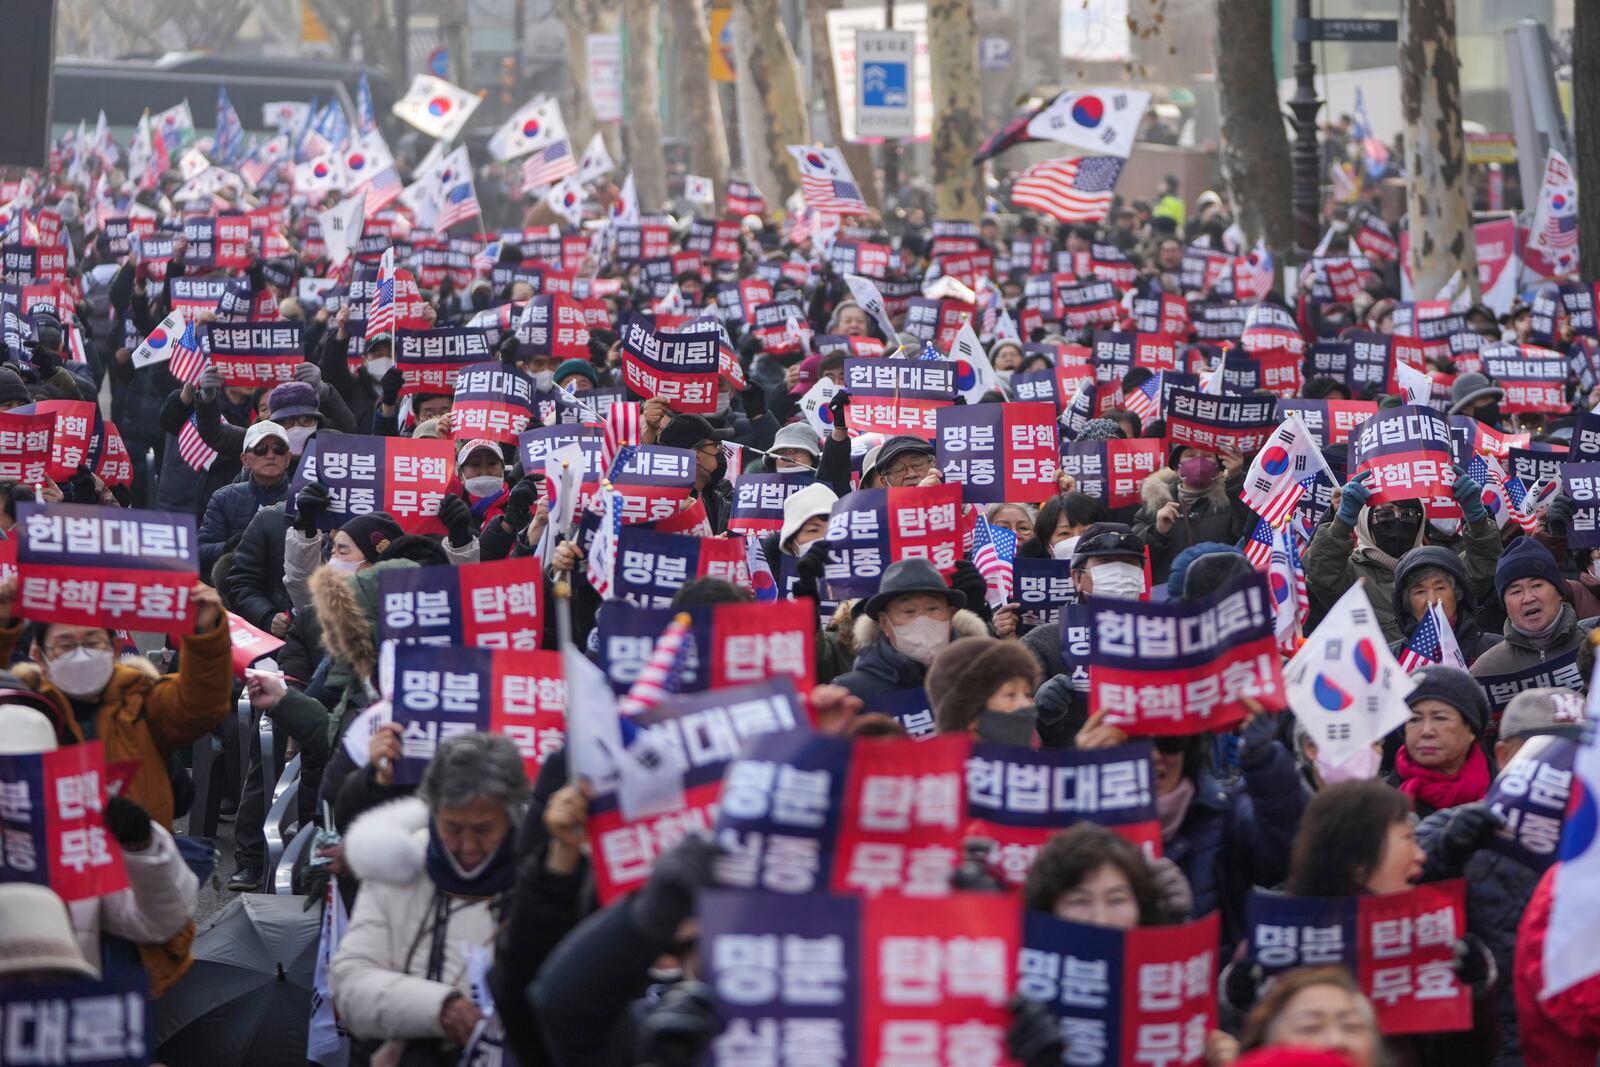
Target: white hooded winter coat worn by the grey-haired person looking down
x=380, y=973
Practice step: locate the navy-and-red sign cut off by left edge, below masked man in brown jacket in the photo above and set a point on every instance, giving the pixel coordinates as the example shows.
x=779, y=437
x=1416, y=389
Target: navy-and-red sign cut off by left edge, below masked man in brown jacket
x=54, y=826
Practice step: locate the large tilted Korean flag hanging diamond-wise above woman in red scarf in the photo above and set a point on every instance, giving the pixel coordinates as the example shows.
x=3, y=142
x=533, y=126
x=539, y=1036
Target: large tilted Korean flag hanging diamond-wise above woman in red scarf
x=1343, y=684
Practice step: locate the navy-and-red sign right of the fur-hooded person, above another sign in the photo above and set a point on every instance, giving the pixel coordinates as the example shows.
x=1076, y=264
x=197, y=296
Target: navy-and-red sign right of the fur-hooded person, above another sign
x=473, y=605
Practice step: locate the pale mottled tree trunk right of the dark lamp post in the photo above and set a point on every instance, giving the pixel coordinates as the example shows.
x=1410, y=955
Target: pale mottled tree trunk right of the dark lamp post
x=1436, y=153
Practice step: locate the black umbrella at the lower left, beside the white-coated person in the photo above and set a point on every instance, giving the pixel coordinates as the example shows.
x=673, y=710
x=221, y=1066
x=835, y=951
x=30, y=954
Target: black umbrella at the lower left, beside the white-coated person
x=247, y=999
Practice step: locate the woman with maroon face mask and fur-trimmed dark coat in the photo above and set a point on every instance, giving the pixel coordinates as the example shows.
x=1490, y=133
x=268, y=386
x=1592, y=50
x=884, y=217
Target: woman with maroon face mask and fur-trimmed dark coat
x=1190, y=502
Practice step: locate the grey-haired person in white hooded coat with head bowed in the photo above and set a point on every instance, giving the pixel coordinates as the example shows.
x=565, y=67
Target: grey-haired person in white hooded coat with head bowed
x=433, y=873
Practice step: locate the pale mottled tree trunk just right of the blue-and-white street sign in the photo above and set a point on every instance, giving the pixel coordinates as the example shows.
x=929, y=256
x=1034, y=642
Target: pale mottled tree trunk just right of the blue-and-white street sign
x=958, y=110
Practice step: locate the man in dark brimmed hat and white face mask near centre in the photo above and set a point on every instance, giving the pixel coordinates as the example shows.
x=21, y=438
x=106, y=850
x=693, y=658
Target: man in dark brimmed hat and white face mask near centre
x=911, y=618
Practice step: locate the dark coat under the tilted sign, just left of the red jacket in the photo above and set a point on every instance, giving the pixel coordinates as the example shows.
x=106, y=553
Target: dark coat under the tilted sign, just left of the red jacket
x=1498, y=893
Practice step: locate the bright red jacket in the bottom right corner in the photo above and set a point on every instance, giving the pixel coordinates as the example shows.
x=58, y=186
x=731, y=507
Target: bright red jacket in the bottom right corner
x=1566, y=1029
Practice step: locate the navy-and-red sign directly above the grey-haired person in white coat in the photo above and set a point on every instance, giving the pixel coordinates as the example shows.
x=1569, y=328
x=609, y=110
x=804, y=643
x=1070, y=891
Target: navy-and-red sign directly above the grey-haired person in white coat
x=516, y=693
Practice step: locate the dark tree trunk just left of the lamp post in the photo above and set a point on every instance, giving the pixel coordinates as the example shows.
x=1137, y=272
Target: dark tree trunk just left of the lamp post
x=1255, y=143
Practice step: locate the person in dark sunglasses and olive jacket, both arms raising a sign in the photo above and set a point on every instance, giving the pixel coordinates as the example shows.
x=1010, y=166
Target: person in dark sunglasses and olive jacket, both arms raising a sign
x=1364, y=541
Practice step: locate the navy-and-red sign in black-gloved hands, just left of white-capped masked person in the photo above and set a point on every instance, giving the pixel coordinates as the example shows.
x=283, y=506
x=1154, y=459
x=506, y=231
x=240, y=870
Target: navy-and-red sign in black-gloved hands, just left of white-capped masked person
x=404, y=478
